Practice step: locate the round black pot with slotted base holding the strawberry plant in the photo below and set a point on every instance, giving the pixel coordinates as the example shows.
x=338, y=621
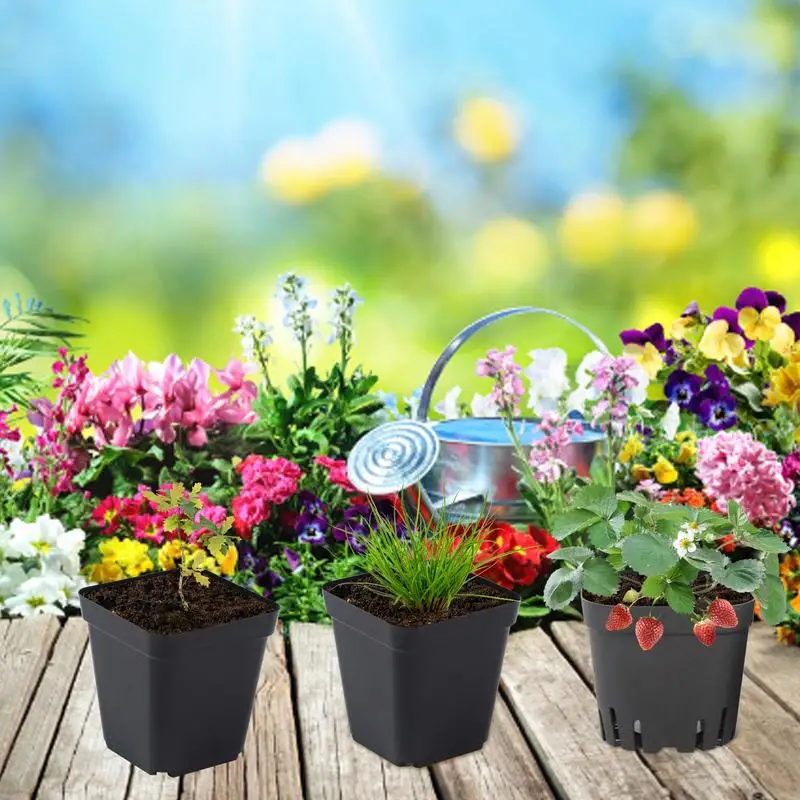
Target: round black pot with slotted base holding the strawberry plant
x=679, y=694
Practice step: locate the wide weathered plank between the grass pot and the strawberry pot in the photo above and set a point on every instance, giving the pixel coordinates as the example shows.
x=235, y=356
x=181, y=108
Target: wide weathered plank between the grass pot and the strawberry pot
x=559, y=716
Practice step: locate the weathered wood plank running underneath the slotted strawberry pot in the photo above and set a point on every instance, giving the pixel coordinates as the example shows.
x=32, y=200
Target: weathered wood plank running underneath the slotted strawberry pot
x=716, y=774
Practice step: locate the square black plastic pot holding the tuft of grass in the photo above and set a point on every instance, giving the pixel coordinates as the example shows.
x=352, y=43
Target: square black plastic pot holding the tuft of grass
x=420, y=695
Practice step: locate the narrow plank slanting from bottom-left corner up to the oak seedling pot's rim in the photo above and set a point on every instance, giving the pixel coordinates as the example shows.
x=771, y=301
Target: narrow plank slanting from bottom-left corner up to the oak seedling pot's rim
x=26, y=761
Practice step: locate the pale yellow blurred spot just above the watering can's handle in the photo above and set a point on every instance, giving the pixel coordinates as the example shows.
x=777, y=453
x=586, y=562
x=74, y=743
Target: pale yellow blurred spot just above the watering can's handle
x=509, y=249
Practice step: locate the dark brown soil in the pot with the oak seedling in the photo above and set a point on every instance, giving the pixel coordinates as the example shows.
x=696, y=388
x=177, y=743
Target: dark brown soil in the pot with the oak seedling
x=152, y=602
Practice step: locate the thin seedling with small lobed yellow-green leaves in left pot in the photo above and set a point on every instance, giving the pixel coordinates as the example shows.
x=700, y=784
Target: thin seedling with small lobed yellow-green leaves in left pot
x=183, y=517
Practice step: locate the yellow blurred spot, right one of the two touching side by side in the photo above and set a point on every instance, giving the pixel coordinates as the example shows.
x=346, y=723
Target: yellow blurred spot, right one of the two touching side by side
x=661, y=224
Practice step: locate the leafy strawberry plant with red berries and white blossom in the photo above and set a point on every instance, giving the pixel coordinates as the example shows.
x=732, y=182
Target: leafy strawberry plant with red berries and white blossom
x=654, y=554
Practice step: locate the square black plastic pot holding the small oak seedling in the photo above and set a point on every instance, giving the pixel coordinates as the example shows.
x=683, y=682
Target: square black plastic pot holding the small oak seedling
x=181, y=702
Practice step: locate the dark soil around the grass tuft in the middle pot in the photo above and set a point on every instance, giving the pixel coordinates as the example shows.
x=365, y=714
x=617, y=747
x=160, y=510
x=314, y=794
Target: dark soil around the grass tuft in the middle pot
x=367, y=599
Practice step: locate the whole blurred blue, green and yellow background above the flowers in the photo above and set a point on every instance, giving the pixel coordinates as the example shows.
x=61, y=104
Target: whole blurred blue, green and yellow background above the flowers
x=163, y=161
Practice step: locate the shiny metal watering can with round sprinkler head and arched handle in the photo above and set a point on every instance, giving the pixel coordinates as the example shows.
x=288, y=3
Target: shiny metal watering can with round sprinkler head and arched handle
x=464, y=468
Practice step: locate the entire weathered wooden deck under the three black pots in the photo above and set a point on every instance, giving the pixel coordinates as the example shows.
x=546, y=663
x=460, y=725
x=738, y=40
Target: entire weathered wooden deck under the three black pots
x=544, y=741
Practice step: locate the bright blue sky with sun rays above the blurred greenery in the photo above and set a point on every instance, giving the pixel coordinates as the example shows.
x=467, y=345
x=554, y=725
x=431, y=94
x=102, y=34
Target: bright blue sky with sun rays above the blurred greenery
x=187, y=91
